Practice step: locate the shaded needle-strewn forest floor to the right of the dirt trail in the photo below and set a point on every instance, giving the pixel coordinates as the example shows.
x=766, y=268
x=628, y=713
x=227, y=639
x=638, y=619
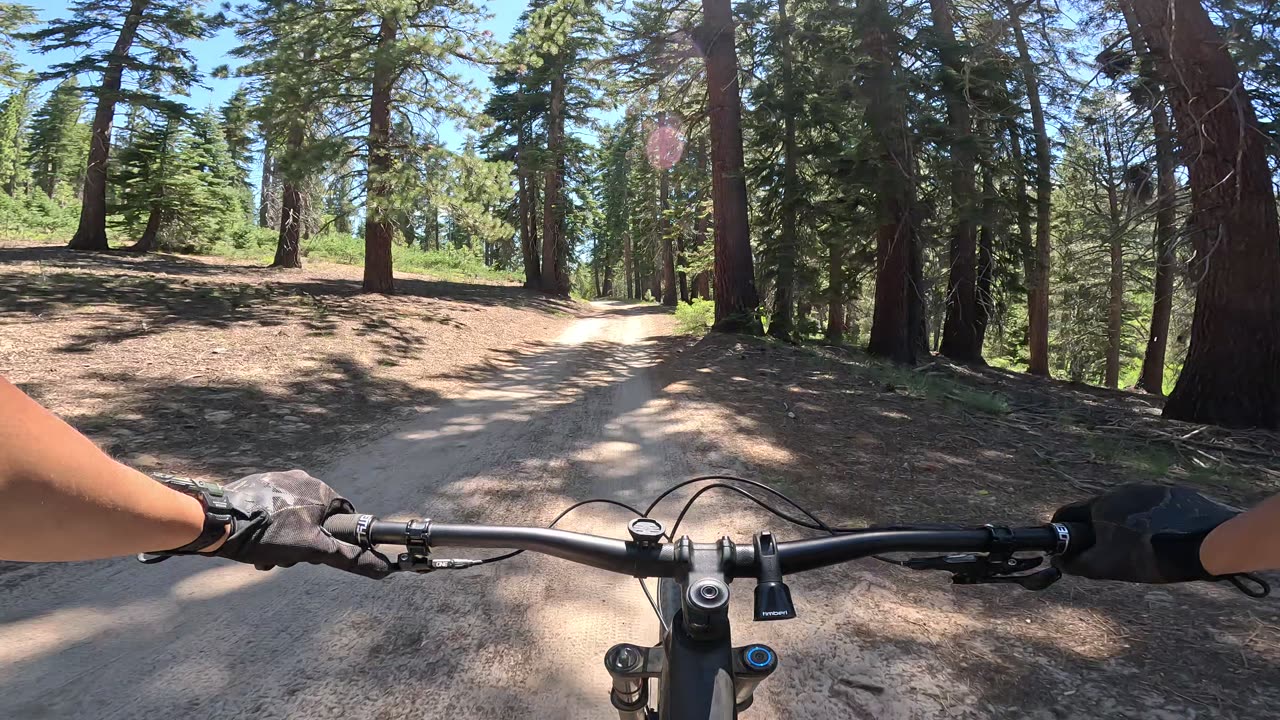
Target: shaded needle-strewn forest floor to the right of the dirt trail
x=871, y=444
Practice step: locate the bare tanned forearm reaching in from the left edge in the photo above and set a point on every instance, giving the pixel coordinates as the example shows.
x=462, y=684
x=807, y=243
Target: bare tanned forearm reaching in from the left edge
x=63, y=499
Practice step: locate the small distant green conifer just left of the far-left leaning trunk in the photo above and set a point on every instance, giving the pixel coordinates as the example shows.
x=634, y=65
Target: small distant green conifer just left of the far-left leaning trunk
x=57, y=140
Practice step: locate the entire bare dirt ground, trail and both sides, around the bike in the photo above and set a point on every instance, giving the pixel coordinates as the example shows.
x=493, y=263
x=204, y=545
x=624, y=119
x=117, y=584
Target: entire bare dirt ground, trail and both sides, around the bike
x=488, y=404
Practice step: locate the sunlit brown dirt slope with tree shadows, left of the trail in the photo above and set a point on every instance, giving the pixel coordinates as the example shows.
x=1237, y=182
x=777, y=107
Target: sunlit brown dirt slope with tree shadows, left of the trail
x=199, y=366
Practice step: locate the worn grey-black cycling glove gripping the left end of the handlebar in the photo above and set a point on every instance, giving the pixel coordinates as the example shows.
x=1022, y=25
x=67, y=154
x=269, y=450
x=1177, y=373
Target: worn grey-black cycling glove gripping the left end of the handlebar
x=280, y=522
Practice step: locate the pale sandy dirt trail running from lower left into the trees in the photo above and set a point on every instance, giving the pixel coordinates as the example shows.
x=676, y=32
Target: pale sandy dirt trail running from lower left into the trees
x=550, y=425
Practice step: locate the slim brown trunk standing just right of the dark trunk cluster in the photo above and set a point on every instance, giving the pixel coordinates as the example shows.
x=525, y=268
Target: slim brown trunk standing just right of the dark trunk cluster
x=1037, y=302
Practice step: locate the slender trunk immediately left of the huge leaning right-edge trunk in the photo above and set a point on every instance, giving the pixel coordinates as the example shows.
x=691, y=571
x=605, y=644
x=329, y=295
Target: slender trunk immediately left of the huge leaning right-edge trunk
x=1153, y=379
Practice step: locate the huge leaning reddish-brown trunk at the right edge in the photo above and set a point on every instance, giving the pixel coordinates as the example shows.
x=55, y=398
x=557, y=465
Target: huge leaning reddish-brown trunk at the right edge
x=1232, y=376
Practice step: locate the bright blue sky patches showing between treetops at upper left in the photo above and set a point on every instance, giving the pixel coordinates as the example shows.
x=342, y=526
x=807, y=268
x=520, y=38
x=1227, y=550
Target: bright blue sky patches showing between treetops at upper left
x=217, y=52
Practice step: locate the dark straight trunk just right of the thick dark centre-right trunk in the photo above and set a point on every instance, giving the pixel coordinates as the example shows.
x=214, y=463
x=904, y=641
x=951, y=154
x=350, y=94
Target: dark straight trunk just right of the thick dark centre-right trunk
x=962, y=339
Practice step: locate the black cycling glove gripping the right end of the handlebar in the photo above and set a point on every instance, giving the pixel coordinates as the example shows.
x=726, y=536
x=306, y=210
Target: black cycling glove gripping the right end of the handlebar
x=1144, y=534
